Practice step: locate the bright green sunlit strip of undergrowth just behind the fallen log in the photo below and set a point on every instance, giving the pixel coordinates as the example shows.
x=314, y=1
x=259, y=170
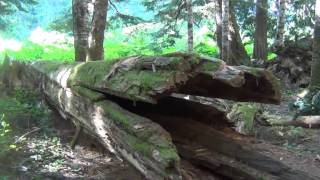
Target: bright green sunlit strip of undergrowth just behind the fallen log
x=32, y=51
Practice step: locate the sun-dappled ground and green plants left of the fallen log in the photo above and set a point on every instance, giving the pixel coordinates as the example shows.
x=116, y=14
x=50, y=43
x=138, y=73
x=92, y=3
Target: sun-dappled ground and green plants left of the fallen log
x=34, y=144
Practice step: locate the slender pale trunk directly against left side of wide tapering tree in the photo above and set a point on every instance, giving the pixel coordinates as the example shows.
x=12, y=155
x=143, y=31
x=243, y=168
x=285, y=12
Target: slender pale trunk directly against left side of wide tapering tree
x=225, y=44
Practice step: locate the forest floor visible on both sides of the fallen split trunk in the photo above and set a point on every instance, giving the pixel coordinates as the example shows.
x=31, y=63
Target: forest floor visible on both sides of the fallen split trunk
x=36, y=144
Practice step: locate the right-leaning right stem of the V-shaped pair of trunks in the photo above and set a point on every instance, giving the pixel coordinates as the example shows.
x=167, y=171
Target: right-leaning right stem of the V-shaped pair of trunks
x=98, y=26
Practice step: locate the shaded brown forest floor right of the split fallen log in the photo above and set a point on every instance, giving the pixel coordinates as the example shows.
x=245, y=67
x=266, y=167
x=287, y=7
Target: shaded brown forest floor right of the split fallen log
x=297, y=147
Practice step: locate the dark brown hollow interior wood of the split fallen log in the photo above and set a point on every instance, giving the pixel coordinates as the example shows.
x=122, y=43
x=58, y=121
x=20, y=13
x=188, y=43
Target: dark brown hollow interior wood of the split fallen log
x=205, y=128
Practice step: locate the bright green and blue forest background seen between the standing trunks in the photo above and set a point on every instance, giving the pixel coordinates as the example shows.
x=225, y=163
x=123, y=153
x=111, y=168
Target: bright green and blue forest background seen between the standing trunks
x=43, y=29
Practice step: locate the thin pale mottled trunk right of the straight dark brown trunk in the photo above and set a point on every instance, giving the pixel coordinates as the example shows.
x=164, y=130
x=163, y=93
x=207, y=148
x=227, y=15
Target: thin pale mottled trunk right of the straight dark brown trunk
x=281, y=20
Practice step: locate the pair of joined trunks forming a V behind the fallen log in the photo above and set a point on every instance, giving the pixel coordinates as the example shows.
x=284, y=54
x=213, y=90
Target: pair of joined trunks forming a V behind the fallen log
x=89, y=22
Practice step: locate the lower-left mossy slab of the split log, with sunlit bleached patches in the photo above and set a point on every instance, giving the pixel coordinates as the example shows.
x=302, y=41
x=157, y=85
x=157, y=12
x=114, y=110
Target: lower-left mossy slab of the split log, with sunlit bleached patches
x=138, y=140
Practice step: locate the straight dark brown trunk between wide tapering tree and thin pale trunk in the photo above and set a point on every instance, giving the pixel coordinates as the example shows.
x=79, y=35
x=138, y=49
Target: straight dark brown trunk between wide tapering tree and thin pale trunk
x=260, y=51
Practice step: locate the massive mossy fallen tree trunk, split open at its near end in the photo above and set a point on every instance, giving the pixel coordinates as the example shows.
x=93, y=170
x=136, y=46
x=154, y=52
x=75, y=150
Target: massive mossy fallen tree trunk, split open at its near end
x=123, y=103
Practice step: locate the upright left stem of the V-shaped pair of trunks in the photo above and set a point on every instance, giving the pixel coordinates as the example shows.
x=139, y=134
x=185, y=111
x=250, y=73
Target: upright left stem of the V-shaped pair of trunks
x=81, y=28
